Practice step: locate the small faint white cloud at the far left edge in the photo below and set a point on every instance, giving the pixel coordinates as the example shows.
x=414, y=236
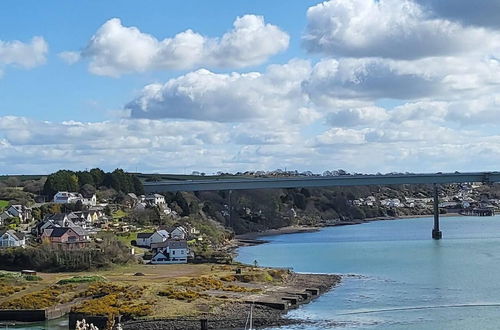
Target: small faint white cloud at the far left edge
x=25, y=55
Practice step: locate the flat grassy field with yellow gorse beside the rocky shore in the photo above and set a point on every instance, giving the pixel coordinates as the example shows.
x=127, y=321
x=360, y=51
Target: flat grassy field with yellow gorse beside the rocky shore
x=164, y=291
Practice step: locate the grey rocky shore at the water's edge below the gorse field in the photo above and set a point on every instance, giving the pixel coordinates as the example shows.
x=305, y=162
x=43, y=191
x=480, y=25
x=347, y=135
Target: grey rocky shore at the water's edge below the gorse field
x=233, y=315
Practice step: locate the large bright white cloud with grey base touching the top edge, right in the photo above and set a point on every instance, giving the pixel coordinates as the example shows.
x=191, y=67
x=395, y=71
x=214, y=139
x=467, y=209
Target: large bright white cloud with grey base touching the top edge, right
x=399, y=29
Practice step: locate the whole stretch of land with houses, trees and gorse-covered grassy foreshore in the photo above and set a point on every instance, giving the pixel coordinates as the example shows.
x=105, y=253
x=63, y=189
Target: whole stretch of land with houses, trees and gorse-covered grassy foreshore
x=101, y=249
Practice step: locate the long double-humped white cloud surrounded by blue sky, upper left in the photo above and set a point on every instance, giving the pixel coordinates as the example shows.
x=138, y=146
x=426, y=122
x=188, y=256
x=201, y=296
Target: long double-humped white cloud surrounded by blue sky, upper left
x=115, y=49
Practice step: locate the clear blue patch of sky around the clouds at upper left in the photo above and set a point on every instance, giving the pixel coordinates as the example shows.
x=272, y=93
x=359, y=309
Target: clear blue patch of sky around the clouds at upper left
x=68, y=93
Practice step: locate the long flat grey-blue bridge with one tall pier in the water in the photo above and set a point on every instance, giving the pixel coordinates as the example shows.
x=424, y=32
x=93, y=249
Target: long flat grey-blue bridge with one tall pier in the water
x=329, y=181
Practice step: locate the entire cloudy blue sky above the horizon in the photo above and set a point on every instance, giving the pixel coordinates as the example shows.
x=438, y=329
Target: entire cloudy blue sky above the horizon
x=235, y=85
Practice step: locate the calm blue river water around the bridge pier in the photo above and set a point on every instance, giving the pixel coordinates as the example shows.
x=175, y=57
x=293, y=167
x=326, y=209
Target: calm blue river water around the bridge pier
x=396, y=276
